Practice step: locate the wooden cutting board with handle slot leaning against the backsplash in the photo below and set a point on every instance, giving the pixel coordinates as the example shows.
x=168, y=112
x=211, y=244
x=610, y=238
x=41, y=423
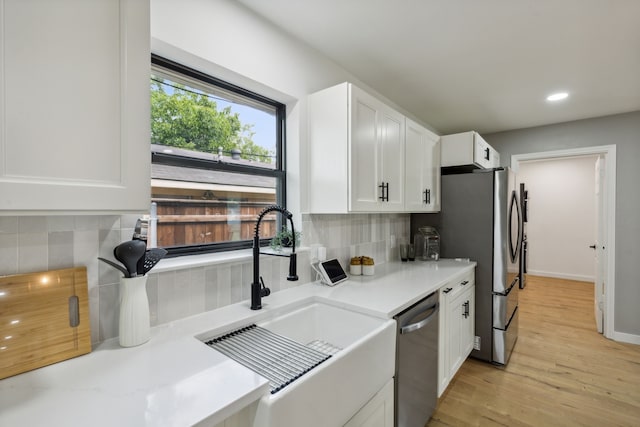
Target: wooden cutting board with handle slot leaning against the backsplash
x=44, y=319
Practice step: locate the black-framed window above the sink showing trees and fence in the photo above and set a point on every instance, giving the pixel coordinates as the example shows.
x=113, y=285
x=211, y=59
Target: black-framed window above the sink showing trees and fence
x=216, y=160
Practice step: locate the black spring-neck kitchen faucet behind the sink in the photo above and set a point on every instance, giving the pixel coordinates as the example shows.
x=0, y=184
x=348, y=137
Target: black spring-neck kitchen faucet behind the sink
x=258, y=289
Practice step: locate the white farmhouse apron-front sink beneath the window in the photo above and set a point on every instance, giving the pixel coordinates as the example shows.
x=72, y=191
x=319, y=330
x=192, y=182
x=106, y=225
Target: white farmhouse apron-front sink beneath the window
x=359, y=358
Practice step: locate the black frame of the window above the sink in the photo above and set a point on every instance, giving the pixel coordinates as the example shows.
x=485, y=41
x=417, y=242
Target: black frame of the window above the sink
x=279, y=172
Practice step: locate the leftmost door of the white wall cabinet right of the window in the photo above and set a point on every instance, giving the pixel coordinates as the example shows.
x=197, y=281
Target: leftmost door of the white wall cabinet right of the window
x=364, y=152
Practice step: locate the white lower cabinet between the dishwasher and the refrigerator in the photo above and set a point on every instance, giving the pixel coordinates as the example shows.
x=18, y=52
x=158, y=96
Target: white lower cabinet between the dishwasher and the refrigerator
x=457, y=327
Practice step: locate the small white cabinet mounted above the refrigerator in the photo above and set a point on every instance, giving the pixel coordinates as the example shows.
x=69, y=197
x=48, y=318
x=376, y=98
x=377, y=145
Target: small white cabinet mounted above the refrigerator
x=468, y=148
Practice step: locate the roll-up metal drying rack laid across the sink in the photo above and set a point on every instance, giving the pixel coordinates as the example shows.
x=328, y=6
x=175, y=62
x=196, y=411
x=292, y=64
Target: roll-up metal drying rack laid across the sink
x=277, y=358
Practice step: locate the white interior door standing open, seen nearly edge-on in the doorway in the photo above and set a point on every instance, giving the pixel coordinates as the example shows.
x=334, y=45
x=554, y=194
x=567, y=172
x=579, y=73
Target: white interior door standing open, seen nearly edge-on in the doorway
x=600, y=250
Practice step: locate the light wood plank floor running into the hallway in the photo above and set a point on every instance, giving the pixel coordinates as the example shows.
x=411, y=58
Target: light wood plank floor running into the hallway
x=561, y=372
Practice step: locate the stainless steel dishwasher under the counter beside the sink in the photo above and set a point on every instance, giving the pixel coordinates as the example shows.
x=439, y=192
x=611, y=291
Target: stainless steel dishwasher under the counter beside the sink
x=416, y=385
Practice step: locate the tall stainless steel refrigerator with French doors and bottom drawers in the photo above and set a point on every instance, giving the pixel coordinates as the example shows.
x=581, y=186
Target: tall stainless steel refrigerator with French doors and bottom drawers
x=481, y=219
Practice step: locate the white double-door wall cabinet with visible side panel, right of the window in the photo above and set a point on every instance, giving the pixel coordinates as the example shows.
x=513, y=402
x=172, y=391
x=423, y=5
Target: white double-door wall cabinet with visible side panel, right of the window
x=356, y=147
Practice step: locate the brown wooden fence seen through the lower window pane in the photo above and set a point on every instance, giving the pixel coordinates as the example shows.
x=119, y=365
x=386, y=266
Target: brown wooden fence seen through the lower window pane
x=195, y=222
